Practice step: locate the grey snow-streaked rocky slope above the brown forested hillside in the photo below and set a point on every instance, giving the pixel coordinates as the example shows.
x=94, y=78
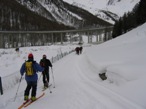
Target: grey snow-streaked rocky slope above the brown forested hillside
x=52, y=10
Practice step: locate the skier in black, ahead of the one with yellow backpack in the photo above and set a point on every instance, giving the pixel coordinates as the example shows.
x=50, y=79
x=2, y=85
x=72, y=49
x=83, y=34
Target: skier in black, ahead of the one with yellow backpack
x=45, y=63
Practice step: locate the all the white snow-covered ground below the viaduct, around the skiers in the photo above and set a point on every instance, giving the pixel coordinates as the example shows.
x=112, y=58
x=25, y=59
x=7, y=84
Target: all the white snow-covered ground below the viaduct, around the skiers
x=77, y=84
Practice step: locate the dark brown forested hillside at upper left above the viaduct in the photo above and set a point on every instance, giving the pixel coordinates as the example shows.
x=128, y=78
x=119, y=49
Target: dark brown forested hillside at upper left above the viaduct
x=14, y=16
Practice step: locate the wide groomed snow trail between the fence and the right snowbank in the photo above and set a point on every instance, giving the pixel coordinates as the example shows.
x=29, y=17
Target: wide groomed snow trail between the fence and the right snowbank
x=77, y=86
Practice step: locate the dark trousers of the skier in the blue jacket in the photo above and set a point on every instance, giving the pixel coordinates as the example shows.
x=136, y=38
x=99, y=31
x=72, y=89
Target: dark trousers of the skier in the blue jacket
x=31, y=85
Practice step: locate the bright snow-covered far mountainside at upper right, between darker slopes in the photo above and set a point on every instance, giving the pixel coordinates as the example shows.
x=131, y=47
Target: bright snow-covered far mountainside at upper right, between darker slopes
x=116, y=8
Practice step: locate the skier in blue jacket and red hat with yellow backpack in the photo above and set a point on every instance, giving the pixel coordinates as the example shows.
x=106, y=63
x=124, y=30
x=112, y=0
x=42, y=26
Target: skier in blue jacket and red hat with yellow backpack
x=30, y=68
